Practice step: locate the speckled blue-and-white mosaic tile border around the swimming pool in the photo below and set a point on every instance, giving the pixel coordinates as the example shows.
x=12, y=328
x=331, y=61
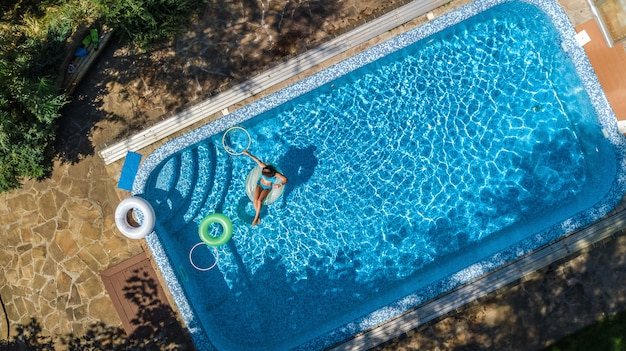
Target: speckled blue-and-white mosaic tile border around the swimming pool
x=590, y=82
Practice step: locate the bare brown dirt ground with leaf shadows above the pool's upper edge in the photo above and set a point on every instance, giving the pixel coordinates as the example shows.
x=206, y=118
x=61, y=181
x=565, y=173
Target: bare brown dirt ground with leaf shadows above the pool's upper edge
x=227, y=42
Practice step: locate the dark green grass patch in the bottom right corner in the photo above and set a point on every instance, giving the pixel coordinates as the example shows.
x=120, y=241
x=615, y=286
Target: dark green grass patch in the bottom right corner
x=608, y=334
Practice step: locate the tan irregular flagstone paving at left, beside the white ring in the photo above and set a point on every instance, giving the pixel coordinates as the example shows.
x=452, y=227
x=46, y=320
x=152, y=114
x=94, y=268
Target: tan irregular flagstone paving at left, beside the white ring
x=59, y=234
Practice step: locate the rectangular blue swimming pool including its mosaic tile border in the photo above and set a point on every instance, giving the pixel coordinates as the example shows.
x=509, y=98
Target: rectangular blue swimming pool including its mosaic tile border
x=414, y=167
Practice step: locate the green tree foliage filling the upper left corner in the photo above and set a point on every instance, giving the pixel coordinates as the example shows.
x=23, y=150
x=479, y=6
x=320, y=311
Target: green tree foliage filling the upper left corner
x=33, y=35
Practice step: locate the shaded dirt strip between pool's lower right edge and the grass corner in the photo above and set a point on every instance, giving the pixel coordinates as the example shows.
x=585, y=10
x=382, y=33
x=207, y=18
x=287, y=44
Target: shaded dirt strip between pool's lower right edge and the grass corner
x=533, y=313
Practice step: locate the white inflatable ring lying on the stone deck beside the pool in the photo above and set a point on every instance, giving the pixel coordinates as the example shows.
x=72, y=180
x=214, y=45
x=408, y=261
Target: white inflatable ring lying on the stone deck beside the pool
x=121, y=217
